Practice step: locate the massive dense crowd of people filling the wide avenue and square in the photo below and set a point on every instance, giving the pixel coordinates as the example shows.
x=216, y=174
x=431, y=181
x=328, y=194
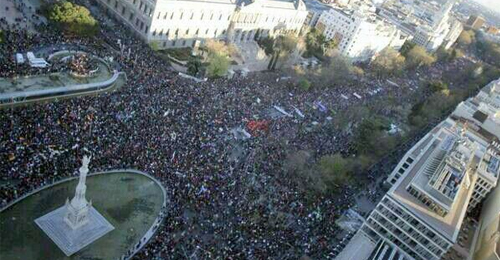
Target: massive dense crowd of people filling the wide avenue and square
x=221, y=205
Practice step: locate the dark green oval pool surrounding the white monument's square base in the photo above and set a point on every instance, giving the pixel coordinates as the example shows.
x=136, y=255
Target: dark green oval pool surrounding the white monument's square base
x=130, y=200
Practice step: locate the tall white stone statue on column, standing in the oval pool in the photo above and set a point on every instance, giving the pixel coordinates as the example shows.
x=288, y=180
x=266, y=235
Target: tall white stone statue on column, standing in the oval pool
x=77, y=210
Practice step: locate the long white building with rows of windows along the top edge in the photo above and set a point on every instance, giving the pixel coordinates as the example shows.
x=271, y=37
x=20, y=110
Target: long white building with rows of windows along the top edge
x=186, y=23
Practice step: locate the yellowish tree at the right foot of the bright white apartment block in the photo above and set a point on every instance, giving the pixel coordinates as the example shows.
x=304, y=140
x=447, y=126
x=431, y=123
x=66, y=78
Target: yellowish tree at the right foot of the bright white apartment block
x=389, y=62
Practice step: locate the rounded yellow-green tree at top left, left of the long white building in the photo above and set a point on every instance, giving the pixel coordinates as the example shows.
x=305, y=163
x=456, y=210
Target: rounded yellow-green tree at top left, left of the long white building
x=73, y=19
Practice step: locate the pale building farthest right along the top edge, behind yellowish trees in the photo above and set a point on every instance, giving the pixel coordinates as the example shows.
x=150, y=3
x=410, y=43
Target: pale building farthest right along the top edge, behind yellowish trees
x=426, y=23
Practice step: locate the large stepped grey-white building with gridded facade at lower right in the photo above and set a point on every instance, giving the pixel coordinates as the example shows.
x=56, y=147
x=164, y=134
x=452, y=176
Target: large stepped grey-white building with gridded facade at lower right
x=448, y=172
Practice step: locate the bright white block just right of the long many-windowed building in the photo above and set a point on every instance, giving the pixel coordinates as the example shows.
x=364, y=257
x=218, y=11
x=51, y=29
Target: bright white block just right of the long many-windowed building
x=360, y=33
